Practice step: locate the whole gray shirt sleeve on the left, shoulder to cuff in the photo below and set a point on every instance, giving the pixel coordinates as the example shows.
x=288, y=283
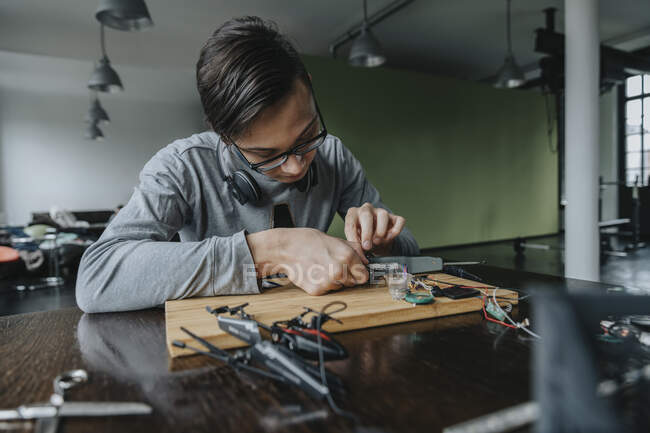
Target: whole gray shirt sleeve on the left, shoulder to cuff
x=134, y=265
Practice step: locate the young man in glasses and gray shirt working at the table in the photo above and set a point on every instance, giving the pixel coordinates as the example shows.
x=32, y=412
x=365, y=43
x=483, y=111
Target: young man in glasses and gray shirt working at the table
x=250, y=198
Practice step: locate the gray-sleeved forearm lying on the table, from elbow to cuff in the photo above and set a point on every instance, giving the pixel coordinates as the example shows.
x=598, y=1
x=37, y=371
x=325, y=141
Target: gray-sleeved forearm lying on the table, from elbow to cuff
x=117, y=274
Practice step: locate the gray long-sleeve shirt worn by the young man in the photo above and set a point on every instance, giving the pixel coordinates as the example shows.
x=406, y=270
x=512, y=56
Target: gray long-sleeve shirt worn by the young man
x=134, y=265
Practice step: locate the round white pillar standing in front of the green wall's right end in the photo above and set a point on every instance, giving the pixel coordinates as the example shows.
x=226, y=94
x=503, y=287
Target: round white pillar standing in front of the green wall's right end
x=582, y=74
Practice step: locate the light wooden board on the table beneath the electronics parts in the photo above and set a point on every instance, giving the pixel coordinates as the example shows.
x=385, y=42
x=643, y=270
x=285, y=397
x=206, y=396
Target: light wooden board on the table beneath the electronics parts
x=368, y=306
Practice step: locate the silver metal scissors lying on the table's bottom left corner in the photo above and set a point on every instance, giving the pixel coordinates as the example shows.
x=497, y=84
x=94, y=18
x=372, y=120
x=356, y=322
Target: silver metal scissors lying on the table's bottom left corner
x=48, y=414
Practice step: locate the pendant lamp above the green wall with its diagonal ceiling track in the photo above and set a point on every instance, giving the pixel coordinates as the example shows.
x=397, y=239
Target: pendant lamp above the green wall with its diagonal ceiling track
x=365, y=50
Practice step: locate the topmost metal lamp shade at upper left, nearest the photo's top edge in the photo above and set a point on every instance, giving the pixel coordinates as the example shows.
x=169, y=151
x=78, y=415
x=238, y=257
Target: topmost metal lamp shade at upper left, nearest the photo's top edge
x=125, y=15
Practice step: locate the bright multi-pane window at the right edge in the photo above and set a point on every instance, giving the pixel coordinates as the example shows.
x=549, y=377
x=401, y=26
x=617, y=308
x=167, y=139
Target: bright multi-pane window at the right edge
x=637, y=129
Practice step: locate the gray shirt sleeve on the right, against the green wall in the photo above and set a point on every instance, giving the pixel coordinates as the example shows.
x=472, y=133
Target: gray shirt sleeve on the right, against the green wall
x=357, y=190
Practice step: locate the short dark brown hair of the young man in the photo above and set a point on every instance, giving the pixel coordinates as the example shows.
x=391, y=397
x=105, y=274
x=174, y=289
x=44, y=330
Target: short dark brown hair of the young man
x=245, y=67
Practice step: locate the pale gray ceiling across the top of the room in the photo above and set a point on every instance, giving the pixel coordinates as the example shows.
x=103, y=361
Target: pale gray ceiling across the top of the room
x=461, y=38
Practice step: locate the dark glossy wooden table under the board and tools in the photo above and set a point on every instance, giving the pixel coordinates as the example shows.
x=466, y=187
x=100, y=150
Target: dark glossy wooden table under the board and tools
x=420, y=376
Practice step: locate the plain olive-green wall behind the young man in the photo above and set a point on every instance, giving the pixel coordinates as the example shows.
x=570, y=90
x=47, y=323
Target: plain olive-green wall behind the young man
x=463, y=162
